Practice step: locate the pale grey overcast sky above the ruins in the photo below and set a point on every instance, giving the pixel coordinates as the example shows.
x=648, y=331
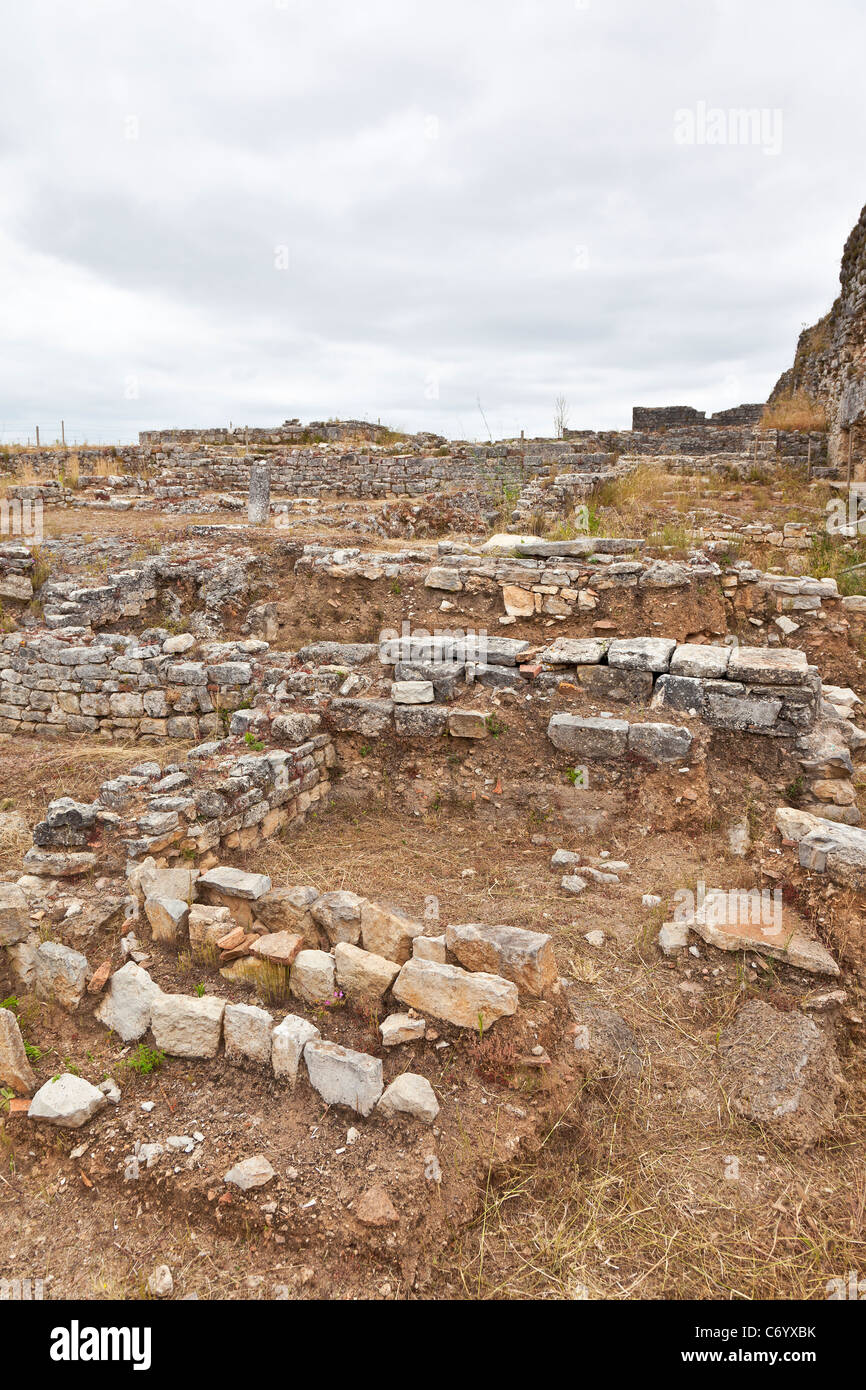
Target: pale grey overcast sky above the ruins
x=426, y=213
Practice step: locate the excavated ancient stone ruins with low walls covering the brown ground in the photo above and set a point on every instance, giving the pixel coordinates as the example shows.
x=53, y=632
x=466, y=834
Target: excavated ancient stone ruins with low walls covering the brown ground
x=408, y=837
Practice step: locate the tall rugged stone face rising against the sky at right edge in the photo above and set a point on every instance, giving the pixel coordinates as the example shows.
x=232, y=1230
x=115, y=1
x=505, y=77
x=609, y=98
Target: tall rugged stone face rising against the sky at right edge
x=831, y=363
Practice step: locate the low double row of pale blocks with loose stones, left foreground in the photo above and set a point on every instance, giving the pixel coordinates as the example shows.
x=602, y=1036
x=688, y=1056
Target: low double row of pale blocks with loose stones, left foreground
x=325, y=951
